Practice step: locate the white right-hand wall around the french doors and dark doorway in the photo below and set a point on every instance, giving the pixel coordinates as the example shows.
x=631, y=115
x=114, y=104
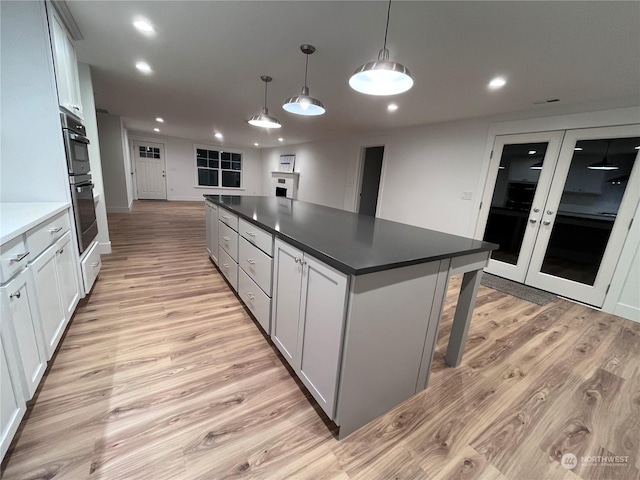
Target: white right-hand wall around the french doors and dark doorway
x=427, y=169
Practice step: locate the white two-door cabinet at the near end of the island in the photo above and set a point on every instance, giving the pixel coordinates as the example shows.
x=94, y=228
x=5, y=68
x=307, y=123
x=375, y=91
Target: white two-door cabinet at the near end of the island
x=309, y=310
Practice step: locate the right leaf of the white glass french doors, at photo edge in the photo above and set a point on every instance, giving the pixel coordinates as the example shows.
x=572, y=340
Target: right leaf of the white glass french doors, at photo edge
x=587, y=215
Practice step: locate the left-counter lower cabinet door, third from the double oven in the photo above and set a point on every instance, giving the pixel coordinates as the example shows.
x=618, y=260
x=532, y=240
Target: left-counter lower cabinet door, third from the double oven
x=19, y=299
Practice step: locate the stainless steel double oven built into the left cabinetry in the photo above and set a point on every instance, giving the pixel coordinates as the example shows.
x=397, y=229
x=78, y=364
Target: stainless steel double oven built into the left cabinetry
x=76, y=145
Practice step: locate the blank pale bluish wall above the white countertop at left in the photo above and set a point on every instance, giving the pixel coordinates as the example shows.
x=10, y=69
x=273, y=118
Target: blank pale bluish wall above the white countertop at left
x=30, y=171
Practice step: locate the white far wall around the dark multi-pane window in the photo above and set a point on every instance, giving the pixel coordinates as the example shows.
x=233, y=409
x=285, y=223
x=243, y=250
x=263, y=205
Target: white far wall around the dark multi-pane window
x=181, y=168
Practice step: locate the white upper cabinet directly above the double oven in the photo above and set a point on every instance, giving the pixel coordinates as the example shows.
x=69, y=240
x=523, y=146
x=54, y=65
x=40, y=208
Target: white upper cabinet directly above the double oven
x=66, y=66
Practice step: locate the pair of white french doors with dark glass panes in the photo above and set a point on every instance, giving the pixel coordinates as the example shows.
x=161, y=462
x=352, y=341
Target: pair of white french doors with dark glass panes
x=561, y=204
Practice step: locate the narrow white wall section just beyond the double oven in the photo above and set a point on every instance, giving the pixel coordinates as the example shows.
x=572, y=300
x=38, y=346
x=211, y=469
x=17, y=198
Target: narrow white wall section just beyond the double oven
x=114, y=168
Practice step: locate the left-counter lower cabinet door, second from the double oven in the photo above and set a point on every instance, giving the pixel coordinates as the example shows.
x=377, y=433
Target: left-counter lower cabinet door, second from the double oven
x=49, y=299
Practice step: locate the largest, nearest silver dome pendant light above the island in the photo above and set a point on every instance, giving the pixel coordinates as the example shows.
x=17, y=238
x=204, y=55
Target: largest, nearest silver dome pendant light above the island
x=382, y=77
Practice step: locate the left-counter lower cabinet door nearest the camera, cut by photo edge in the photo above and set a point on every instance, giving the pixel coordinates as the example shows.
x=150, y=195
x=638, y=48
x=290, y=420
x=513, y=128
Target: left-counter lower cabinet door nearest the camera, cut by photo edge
x=12, y=402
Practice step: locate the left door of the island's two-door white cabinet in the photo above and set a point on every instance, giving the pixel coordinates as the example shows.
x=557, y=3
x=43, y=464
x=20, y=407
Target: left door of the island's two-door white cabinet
x=287, y=277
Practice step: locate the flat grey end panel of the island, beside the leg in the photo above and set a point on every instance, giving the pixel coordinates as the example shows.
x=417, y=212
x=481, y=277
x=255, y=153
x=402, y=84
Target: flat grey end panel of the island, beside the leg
x=385, y=333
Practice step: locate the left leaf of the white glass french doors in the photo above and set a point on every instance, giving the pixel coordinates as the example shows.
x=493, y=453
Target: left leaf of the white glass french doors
x=520, y=174
